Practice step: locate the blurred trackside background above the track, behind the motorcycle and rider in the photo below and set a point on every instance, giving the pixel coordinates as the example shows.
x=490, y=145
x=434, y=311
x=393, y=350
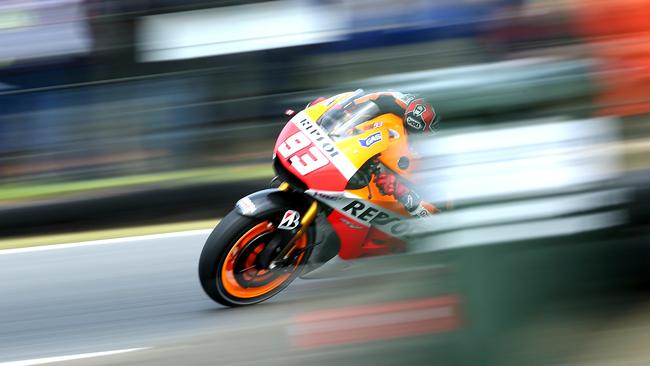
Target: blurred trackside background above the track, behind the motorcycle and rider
x=104, y=100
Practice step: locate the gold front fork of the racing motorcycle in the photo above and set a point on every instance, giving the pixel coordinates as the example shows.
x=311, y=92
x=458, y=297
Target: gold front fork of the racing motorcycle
x=281, y=246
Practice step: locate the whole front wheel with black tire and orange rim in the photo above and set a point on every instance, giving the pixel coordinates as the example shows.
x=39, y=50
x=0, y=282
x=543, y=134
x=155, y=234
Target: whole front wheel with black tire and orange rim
x=228, y=267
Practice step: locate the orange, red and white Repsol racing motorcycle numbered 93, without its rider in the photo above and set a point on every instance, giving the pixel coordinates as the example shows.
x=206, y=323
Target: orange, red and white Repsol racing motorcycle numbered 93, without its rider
x=324, y=204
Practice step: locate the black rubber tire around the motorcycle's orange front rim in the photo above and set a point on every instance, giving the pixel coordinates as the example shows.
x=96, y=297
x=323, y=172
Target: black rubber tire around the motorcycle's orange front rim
x=216, y=249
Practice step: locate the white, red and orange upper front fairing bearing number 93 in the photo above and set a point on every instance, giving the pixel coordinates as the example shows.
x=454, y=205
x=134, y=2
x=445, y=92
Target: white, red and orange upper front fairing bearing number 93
x=326, y=155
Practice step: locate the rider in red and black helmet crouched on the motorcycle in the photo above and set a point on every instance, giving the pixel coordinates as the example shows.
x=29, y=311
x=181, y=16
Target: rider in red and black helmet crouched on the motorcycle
x=418, y=118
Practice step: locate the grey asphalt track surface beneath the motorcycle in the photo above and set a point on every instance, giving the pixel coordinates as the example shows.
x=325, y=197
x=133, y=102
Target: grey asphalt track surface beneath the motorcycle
x=62, y=301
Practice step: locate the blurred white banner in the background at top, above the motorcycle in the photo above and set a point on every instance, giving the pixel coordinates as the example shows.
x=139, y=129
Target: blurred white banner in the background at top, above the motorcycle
x=237, y=29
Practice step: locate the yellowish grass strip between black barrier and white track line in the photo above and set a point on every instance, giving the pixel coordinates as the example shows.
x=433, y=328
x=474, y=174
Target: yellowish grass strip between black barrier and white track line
x=105, y=234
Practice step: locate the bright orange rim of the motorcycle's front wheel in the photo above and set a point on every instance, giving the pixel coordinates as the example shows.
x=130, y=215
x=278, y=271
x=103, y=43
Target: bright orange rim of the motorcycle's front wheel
x=259, y=282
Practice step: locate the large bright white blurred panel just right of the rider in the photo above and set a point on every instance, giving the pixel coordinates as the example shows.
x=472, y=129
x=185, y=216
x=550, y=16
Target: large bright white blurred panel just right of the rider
x=523, y=159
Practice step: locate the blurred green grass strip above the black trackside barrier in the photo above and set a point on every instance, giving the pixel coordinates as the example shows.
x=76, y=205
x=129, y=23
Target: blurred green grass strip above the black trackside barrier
x=25, y=192
